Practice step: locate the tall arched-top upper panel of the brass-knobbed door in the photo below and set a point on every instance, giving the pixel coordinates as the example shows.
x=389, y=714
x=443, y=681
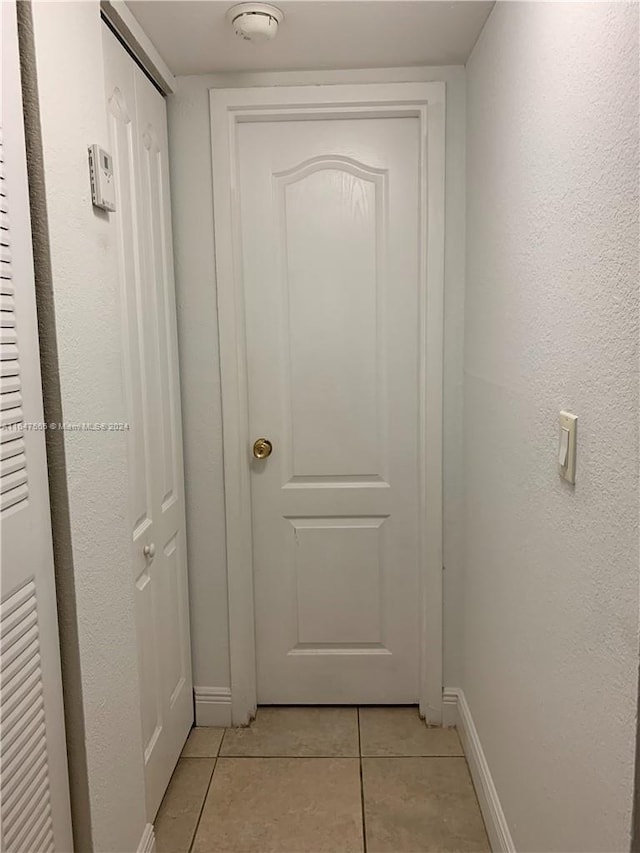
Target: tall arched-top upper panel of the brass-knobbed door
x=331, y=229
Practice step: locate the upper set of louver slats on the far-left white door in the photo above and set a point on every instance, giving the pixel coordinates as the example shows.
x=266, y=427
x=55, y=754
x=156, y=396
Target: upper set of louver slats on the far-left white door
x=14, y=487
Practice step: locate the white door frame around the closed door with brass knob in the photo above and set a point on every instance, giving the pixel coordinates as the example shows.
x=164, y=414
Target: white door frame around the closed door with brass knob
x=229, y=107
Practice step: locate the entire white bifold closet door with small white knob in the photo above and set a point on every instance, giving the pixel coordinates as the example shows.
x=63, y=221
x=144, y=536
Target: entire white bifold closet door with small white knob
x=138, y=143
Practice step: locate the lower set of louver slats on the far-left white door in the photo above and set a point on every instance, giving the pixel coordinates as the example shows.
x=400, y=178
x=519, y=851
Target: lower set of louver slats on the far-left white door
x=27, y=823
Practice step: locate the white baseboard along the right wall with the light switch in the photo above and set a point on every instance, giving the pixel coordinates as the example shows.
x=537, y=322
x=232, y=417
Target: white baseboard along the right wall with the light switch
x=455, y=707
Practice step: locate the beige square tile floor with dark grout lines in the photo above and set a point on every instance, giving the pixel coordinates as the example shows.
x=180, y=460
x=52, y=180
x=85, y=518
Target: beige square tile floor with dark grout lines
x=322, y=780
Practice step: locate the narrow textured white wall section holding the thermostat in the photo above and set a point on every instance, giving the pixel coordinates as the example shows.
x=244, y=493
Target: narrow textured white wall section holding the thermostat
x=83, y=253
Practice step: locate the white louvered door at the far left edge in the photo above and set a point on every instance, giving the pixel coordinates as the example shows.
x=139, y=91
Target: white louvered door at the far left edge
x=35, y=788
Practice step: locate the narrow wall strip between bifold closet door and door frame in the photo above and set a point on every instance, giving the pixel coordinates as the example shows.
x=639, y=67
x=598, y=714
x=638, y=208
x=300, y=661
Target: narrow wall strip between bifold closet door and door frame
x=192, y=206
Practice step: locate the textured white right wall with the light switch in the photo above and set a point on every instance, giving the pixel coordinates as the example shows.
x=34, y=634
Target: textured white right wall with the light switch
x=551, y=575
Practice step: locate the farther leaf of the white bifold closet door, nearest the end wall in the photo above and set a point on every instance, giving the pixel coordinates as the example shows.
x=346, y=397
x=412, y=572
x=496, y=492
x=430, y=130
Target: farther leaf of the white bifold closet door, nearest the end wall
x=173, y=608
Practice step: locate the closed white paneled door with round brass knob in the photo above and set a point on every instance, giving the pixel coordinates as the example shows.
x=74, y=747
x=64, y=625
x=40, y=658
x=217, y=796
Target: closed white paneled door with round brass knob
x=329, y=229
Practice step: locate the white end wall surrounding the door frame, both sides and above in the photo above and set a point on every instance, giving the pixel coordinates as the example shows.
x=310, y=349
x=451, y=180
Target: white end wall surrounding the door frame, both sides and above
x=189, y=135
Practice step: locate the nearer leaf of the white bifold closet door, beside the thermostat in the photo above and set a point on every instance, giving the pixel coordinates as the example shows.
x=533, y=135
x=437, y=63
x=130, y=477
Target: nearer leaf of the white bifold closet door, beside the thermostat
x=138, y=334
